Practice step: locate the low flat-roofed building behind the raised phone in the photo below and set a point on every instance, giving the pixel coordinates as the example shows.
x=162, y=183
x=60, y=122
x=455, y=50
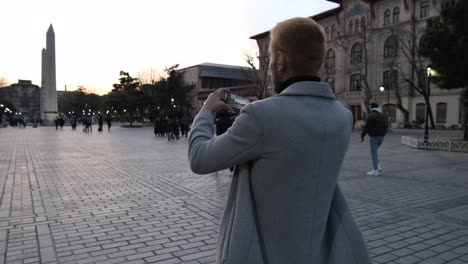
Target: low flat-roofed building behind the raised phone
x=208, y=77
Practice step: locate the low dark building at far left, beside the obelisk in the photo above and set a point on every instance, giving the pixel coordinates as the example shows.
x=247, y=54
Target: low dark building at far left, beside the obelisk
x=25, y=97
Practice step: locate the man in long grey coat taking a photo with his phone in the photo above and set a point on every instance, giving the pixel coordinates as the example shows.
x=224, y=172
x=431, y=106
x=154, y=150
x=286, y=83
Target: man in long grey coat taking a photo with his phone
x=284, y=205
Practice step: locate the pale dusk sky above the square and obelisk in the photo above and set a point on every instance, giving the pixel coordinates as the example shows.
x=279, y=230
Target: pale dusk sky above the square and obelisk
x=96, y=39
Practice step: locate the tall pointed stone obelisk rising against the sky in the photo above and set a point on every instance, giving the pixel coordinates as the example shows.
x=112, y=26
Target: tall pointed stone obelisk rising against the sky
x=48, y=82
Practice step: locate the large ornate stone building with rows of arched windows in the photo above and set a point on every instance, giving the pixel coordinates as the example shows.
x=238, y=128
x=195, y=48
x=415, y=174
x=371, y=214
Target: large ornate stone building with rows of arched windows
x=370, y=38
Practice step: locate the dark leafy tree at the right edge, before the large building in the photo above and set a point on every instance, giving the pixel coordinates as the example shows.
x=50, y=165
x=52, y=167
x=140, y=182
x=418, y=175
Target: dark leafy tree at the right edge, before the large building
x=445, y=43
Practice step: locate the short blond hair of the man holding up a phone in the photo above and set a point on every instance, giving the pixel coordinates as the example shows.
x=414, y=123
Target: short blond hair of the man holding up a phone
x=303, y=40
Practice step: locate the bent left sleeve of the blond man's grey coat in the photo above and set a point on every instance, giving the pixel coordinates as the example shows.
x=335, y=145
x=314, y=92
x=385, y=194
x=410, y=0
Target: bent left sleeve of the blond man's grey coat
x=241, y=143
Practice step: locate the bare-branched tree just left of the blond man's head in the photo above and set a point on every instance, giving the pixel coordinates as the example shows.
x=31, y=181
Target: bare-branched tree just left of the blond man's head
x=259, y=76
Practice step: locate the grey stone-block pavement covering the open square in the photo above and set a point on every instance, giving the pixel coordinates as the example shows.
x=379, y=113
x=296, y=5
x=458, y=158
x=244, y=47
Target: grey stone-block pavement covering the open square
x=127, y=197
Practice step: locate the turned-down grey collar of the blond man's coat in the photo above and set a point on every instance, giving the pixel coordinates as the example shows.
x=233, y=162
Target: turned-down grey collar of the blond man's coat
x=308, y=88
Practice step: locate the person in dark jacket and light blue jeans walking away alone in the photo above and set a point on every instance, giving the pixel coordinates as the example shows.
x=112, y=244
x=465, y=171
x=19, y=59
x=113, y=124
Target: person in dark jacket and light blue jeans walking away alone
x=376, y=126
